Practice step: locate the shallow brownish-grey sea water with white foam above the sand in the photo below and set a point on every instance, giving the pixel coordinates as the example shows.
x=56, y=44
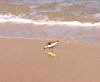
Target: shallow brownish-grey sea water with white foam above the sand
x=76, y=20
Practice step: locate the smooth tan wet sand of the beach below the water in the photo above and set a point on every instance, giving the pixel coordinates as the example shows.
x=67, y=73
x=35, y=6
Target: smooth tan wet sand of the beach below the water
x=24, y=60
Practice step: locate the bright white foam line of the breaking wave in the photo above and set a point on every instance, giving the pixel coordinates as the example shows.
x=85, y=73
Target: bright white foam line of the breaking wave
x=18, y=19
